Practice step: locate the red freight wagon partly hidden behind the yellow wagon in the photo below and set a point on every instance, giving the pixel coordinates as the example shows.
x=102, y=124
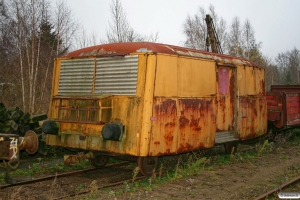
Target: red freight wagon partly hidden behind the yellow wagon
x=283, y=105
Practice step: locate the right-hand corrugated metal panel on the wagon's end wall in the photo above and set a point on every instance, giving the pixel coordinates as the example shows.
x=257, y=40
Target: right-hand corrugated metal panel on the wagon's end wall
x=116, y=75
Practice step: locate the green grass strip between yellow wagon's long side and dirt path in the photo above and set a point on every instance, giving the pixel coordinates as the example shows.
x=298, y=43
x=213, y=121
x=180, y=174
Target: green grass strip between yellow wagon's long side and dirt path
x=195, y=164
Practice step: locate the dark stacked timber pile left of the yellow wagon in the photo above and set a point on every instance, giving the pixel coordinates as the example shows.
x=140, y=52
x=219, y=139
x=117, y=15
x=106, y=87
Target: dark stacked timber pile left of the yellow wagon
x=14, y=121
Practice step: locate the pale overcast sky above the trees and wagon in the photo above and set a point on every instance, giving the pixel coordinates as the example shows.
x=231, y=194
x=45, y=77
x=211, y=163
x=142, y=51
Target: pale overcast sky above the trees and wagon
x=275, y=22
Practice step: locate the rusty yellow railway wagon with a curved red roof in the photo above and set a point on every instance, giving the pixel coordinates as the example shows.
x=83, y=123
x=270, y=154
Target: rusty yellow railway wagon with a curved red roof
x=148, y=100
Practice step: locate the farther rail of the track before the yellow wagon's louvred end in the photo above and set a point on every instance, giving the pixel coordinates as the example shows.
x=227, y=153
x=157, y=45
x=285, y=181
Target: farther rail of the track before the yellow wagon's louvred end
x=60, y=175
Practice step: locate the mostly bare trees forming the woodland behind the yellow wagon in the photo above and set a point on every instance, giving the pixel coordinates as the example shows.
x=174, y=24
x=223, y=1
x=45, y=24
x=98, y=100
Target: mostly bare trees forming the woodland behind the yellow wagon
x=34, y=33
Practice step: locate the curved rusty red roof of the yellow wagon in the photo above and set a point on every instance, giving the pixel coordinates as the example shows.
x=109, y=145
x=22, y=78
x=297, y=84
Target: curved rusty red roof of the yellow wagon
x=126, y=48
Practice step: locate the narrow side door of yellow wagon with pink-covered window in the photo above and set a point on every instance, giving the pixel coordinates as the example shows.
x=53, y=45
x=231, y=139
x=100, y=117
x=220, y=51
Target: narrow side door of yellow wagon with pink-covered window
x=226, y=103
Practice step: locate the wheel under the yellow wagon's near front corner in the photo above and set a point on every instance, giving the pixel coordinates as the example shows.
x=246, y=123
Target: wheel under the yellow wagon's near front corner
x=147, y=165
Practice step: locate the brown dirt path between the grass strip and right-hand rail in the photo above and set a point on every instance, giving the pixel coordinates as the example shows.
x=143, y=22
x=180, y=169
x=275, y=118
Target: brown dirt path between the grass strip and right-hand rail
x=239, y=180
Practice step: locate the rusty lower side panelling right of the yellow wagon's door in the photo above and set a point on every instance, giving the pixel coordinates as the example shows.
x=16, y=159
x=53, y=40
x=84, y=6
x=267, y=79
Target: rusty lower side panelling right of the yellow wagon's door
x=252, y=117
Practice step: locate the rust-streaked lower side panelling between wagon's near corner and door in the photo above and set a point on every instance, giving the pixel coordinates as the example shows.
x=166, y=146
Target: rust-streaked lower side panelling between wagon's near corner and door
x=181, y=125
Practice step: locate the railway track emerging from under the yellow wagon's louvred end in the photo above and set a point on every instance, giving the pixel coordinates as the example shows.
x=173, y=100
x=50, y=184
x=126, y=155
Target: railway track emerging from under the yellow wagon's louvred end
x=70, y=184
